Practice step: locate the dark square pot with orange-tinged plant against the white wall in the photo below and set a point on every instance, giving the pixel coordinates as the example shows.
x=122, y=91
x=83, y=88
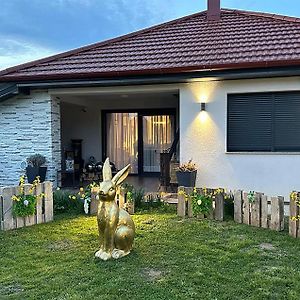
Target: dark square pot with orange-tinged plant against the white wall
x=186, y=174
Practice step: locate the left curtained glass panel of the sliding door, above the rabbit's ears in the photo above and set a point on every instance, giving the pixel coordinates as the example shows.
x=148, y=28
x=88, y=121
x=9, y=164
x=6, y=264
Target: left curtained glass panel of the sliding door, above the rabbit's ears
x=122, y=139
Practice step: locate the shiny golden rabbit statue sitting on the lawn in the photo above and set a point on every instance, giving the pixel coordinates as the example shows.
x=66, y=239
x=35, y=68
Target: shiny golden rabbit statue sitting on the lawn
x=116, y=228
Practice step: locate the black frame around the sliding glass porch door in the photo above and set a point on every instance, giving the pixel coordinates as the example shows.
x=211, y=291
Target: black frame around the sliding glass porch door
x=141, y=113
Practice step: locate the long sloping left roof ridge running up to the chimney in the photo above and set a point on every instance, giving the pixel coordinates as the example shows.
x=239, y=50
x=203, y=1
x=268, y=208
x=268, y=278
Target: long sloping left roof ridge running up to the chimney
x=96, y=45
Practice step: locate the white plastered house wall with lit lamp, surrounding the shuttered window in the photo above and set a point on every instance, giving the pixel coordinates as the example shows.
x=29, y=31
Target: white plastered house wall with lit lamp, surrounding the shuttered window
x=203, y=138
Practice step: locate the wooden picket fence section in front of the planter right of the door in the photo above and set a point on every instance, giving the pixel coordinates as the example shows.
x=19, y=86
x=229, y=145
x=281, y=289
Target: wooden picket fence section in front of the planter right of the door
x=184, y=207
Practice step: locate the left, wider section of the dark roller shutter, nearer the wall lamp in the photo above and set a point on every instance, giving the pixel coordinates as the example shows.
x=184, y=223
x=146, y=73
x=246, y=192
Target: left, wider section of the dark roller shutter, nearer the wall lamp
x=249, y=123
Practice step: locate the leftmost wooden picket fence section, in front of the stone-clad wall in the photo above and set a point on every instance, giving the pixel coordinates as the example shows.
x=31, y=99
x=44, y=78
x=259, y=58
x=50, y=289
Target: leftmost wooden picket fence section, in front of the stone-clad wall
x=44, y=207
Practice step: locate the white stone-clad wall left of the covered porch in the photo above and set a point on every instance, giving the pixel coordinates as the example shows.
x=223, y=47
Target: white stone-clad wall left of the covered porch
x=29, y=124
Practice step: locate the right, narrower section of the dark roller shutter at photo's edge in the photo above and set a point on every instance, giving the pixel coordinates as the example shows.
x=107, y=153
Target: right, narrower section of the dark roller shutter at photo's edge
x=287, y=121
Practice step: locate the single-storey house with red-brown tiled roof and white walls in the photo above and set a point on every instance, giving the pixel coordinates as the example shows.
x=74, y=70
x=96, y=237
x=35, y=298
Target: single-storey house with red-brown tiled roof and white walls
x=126, y=97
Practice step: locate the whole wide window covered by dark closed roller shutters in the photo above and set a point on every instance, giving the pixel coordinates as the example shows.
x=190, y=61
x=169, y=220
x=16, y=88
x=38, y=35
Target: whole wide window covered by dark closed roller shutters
x=266, y=122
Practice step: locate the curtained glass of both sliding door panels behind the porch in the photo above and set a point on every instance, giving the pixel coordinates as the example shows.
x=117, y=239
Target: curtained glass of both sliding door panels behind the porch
x=138, y=138
